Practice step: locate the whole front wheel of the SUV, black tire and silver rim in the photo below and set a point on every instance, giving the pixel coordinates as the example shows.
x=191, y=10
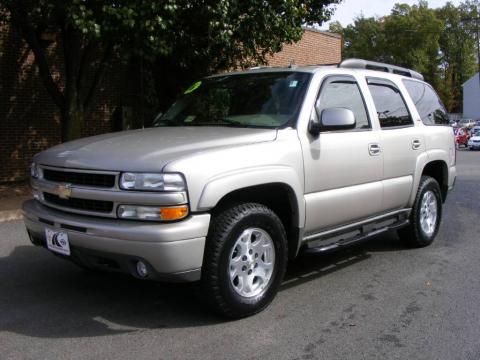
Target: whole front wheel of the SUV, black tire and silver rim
x=245, y=260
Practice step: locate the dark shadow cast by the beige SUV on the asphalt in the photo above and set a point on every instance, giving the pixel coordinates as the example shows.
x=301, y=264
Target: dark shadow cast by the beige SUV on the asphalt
x=46, y=297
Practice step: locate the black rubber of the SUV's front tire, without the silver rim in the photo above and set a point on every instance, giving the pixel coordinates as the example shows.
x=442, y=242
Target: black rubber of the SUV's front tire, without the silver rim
x=215, y=287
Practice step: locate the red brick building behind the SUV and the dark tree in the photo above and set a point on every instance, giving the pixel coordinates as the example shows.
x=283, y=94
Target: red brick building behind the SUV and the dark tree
x=30, y=121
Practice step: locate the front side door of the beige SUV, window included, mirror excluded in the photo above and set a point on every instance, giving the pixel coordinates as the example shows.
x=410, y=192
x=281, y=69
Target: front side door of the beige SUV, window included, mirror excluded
x=343, y=169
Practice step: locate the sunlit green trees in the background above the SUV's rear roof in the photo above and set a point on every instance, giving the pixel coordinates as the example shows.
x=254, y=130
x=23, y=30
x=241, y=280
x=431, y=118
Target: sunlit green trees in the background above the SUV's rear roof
x=435, y=42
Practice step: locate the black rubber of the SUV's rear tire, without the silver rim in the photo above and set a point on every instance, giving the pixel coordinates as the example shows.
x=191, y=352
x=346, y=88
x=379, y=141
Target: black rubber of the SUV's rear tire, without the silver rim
x=413, y=235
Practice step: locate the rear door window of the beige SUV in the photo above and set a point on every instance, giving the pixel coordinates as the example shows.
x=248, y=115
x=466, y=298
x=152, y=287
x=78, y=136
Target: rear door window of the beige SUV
x=391, y=108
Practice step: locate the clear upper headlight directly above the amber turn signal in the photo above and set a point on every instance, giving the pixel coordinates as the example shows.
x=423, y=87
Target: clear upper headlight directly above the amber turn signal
x=152, y=182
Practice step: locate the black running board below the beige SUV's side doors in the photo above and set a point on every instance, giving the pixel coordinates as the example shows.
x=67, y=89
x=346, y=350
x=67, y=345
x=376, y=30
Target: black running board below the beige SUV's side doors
x=347, y=235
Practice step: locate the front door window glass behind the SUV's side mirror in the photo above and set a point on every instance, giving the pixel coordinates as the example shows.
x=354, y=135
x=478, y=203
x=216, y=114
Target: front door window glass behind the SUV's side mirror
x=344, y=94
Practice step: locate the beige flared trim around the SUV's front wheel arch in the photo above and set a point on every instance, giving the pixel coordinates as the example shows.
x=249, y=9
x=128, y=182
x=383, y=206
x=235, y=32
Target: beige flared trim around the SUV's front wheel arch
x=218, y=187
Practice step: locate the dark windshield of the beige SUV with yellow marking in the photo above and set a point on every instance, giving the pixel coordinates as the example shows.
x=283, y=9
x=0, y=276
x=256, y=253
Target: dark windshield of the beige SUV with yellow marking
x=267, y=100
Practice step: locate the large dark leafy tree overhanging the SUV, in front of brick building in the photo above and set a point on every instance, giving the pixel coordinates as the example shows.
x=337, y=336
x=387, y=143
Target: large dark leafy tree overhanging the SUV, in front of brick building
x=215, y=34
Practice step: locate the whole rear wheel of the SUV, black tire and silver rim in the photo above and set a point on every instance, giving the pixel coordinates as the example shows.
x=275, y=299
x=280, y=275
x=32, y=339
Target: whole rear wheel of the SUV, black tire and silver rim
x=425, y=216
